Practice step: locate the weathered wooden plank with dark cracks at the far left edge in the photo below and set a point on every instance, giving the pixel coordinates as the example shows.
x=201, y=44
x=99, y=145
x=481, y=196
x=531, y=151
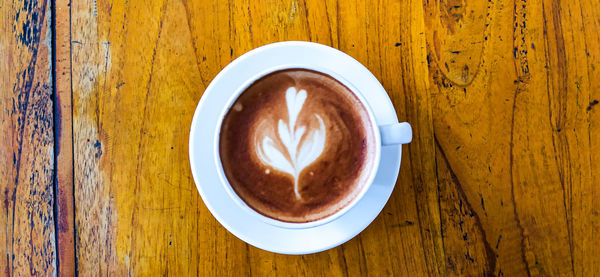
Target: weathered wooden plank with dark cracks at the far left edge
x=27, y=230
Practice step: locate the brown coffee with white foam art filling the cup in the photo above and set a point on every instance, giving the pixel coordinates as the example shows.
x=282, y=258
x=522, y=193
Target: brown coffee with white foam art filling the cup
x=297, y=145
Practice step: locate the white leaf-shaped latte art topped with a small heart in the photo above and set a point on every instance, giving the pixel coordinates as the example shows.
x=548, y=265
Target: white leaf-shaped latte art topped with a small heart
x=298, y=153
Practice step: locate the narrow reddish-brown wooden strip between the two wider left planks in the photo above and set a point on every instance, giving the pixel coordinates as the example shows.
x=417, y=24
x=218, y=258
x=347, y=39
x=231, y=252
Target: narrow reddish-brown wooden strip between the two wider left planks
x=64, y=139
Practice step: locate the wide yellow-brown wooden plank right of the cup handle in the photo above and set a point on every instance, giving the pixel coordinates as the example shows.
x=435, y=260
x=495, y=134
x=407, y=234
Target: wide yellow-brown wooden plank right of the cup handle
x=517, y=128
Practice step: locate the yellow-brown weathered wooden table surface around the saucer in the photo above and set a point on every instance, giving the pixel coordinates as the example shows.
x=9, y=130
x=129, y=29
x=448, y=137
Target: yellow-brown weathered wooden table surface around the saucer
x=502, y=177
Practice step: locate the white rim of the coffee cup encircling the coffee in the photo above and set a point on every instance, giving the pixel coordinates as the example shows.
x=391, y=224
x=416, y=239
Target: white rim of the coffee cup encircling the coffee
x=284, y=66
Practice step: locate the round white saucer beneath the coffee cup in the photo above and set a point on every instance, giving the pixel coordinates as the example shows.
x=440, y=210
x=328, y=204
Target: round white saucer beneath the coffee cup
x=203, y=158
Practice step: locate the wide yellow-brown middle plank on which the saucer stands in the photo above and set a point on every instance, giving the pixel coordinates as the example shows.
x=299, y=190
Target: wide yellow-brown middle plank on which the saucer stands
x=157, y=85
